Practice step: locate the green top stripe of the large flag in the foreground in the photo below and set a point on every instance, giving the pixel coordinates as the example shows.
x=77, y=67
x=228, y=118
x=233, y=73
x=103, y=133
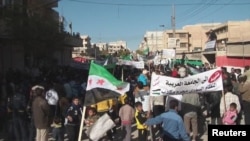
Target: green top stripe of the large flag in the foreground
x=102, y=72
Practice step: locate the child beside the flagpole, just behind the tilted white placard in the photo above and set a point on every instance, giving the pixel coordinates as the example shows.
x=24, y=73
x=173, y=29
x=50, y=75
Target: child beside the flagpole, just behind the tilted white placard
x=91, y=118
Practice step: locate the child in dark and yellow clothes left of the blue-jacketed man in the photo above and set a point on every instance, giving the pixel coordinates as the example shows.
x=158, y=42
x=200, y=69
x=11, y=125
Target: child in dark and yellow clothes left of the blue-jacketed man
x=140, y=117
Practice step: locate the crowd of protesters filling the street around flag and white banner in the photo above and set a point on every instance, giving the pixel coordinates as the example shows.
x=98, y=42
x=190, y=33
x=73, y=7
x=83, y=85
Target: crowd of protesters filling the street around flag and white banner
x=35, y=102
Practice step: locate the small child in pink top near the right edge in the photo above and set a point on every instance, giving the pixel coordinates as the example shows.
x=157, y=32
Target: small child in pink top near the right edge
x=230, y=116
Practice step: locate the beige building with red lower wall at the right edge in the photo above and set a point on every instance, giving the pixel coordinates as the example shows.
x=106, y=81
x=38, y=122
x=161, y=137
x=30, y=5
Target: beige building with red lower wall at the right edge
x=232, y=44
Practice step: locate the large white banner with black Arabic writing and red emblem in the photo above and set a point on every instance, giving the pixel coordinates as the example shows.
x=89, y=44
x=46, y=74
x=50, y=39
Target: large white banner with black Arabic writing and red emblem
x=202, y=82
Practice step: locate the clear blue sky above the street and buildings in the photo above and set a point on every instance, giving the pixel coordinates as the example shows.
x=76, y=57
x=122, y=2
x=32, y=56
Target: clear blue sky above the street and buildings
x=128, y=20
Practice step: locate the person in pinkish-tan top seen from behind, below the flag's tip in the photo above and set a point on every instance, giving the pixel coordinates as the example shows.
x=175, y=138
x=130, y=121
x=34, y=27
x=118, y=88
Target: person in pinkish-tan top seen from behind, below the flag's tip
x=126, y=114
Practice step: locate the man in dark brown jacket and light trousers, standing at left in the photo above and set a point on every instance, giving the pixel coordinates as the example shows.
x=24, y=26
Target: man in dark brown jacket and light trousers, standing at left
x=41, y=111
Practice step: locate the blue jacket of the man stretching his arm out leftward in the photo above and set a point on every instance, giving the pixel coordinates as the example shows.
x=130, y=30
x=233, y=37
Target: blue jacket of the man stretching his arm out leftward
x=172, y=124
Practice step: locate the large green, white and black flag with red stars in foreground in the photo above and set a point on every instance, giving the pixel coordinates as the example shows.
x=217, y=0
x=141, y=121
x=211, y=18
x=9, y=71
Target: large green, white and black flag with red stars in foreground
x=102, y=85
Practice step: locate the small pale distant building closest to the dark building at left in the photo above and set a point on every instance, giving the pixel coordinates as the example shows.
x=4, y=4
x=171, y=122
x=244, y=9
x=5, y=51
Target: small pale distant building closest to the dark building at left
x=80, y=51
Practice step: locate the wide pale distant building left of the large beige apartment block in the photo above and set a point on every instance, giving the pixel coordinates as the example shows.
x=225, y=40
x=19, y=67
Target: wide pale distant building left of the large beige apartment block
x=116, y=46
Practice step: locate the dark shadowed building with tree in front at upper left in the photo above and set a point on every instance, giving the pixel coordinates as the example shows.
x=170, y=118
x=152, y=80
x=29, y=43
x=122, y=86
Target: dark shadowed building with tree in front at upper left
x=17, y=53
